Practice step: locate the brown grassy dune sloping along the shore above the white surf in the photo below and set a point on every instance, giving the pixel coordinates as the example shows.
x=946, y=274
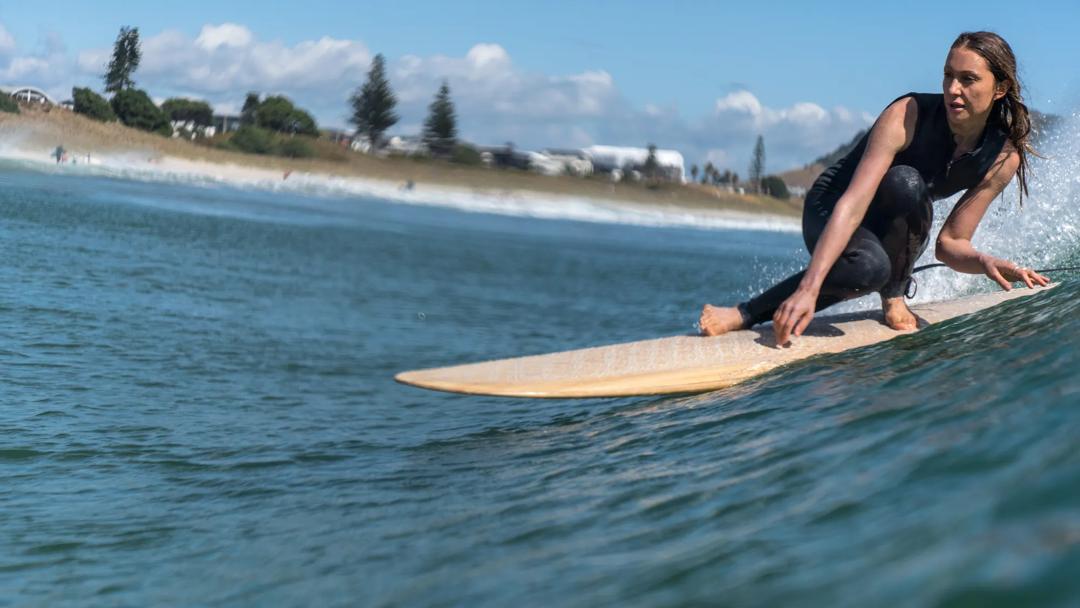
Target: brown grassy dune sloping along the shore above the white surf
x=35, y=131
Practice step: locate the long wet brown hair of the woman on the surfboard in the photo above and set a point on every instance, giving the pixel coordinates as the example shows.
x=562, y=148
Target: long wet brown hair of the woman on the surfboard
x=1010, y=111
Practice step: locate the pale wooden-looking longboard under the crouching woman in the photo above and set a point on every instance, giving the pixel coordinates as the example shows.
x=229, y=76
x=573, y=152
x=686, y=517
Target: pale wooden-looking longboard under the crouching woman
x=681, y=364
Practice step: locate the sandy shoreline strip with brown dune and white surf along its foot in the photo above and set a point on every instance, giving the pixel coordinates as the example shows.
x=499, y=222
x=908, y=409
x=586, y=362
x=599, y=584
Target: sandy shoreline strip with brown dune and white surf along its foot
x=123, y=153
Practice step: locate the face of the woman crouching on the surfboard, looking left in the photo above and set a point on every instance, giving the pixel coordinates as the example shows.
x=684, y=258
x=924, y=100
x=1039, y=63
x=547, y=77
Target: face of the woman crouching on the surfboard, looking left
x=969, y=87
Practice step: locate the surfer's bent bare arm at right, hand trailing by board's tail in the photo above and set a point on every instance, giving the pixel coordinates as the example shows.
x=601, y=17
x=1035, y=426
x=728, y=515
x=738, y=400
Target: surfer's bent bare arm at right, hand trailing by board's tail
x=954, y=242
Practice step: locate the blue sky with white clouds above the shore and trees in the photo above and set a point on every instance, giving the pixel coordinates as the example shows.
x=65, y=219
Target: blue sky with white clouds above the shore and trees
x=705, y=79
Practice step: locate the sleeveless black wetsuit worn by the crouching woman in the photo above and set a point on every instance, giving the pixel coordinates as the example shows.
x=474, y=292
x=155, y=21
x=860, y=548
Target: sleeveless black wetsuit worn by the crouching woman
x=896, y=231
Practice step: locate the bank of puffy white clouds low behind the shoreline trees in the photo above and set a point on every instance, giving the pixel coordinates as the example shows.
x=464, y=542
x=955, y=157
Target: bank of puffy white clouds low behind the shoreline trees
x=497, y=101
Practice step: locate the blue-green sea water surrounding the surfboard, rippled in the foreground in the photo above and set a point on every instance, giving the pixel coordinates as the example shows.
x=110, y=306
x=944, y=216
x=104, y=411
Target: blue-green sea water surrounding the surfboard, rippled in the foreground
x=197, y=409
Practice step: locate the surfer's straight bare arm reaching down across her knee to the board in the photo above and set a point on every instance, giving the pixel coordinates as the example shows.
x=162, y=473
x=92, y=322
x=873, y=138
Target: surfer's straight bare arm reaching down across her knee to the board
x=893, y=133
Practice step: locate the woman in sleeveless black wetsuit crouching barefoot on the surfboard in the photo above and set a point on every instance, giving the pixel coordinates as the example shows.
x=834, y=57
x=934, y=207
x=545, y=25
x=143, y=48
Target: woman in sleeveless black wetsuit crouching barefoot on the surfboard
x=868, y=219
